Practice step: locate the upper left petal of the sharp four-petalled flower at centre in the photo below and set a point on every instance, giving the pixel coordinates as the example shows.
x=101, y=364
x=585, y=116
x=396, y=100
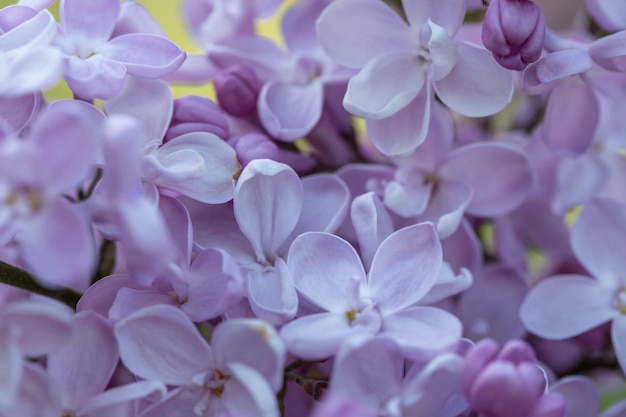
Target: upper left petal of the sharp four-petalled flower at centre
x=325, y=268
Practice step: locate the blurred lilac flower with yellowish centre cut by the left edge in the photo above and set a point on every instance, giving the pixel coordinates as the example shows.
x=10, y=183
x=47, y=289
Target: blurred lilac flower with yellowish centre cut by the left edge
x=59, y=154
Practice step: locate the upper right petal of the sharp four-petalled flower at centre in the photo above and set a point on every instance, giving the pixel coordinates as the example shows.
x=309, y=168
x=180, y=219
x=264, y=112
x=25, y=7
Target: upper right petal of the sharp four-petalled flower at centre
x=405, y=267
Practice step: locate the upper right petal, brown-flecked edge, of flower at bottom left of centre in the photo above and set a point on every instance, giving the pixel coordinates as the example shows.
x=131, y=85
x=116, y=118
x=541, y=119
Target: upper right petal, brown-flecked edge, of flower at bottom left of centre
x=253, y=343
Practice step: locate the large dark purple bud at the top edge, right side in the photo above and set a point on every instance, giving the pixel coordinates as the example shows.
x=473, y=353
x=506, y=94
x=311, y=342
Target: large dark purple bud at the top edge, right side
x=513, y=30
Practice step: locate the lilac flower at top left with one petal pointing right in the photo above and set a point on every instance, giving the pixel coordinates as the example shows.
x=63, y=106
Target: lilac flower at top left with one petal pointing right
x=96, y=64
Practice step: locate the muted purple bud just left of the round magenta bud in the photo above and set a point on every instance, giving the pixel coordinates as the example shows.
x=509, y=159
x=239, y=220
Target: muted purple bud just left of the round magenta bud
x=197, y=114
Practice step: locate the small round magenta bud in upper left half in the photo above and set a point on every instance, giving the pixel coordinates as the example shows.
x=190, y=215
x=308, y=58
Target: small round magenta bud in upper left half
x=237, y=90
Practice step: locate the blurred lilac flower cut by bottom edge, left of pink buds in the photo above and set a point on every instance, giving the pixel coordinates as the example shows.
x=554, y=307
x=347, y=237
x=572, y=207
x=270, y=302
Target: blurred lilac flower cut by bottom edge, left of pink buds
x=370, y=373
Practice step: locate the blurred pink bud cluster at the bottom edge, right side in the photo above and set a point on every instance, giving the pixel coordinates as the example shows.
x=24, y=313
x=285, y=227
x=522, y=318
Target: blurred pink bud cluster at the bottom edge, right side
x=507, y=382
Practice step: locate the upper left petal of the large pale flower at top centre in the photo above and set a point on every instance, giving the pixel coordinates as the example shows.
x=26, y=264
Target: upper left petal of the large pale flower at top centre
x=353, y=32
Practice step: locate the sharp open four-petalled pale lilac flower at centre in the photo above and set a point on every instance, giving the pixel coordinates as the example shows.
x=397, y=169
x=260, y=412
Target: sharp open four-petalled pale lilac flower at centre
x=328, y=273
